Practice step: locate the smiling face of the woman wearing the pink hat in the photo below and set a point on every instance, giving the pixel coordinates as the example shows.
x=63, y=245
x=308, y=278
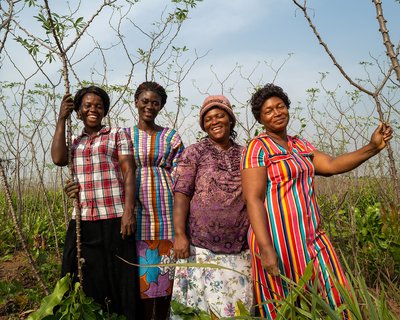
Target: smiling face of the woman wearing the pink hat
x=217, y=125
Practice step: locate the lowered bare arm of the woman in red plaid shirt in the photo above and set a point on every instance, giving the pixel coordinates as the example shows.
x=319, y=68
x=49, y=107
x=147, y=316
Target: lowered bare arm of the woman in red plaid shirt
x=128, y=221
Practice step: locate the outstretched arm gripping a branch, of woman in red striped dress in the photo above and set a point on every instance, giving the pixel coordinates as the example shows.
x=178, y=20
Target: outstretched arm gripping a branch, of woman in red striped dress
x=327, y=165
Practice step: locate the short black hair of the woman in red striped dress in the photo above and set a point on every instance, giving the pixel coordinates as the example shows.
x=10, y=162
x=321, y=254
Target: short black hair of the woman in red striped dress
x=262, y=94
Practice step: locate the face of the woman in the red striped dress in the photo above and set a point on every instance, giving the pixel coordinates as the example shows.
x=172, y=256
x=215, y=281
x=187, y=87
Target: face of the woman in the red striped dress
x=274, y=115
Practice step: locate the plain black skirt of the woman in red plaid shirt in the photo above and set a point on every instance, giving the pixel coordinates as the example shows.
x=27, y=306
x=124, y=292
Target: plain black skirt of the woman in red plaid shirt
x=106, y=278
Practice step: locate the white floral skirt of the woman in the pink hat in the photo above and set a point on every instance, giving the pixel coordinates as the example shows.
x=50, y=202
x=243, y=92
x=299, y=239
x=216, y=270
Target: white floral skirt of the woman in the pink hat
x=215, y=290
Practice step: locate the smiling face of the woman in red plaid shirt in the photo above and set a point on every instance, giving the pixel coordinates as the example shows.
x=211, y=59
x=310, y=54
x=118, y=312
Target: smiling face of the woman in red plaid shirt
x=92, y=112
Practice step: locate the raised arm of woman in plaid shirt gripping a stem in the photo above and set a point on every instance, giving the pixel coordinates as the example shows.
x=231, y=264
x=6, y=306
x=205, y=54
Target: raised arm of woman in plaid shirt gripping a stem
x=59, y=151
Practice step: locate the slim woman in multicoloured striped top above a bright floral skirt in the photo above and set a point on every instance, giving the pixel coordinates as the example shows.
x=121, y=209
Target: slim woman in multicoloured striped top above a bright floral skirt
x=156, y=151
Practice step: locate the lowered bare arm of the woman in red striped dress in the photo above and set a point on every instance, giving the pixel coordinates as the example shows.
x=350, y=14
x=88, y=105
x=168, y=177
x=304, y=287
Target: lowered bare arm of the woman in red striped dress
x=253, y=184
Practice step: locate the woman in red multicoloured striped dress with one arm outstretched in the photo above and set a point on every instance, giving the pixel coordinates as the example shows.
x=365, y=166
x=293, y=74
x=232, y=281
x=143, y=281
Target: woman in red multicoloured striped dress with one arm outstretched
x=278, y=184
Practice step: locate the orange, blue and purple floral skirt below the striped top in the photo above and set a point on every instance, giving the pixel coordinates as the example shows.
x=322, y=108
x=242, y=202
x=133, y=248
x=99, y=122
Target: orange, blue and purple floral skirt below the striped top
x=155, y=281
